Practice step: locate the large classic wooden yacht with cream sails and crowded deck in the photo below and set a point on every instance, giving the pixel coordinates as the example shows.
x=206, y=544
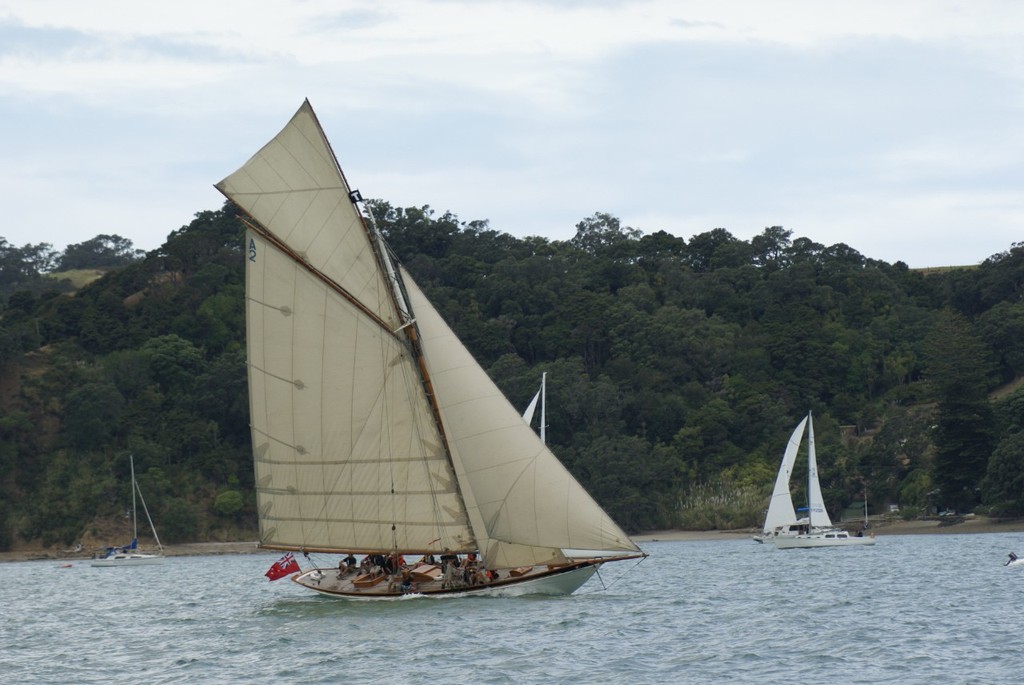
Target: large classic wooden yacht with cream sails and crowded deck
x=374, y=431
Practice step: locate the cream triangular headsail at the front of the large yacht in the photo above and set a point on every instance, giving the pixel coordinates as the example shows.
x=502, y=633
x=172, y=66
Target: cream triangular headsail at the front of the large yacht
x=525, y=506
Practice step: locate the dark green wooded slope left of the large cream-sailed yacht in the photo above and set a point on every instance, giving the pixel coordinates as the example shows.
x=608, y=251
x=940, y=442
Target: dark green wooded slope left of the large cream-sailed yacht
x=147, y=361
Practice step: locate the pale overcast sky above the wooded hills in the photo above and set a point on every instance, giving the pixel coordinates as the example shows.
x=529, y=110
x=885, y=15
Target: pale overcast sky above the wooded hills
x=895, y=127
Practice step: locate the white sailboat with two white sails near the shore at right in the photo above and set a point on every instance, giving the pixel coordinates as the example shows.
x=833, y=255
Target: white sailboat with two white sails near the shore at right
x=818, y=530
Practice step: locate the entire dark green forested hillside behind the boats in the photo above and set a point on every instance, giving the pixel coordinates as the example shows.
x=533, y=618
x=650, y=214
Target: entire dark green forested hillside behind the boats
x=676, y=371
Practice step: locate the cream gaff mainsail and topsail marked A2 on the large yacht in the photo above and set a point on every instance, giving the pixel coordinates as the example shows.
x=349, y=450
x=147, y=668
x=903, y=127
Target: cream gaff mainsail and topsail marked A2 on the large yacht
x=348, y=453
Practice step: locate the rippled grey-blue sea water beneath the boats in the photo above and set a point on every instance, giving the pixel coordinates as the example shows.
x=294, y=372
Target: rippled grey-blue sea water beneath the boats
x=911, y=610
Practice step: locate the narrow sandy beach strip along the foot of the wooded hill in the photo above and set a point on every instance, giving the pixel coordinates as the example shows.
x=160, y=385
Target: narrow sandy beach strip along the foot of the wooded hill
x=971, y=525
